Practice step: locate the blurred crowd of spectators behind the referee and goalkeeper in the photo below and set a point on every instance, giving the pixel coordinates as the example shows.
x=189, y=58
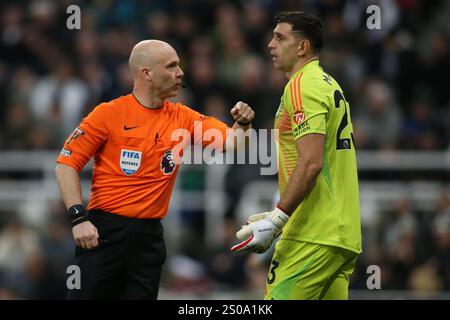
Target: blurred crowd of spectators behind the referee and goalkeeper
x=395, y=80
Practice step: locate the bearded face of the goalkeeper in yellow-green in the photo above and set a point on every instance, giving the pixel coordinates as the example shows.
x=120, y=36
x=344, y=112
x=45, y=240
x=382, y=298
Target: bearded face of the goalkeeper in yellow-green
x=283, y=47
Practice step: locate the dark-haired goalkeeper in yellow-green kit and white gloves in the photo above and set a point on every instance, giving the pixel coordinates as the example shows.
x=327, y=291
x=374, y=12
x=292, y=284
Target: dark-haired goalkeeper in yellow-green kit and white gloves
x=318, y=214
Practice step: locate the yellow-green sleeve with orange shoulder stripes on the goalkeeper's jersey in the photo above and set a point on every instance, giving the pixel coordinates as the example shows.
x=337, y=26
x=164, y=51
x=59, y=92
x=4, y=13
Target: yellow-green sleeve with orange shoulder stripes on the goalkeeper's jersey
x=306, y=106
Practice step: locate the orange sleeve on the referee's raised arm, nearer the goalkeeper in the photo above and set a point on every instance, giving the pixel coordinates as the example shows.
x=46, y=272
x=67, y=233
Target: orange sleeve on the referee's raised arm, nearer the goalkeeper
x=207, y=131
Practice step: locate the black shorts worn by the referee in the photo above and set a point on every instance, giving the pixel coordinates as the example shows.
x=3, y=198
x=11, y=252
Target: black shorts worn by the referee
x=127, y=262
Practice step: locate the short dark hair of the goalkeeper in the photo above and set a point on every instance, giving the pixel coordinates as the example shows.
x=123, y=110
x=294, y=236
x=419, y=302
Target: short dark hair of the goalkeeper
x=305, y=24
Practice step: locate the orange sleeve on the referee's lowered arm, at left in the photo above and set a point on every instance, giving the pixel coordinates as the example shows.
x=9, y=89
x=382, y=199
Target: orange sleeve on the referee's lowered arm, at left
x=85, y=140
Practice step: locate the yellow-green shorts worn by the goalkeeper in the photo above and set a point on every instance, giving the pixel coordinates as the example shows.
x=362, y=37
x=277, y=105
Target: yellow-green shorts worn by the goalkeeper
x=309, y=271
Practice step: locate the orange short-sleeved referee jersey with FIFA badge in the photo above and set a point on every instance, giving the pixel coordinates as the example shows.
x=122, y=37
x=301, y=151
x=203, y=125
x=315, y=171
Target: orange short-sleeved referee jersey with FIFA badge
x=134, y=168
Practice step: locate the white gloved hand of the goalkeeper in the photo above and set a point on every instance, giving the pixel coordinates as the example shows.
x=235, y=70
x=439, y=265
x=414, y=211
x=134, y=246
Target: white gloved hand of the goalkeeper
x=260, y=231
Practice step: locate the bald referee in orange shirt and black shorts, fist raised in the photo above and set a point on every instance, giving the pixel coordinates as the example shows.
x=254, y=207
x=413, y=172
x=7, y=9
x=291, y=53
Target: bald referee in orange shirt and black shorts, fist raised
x=119, y=237
